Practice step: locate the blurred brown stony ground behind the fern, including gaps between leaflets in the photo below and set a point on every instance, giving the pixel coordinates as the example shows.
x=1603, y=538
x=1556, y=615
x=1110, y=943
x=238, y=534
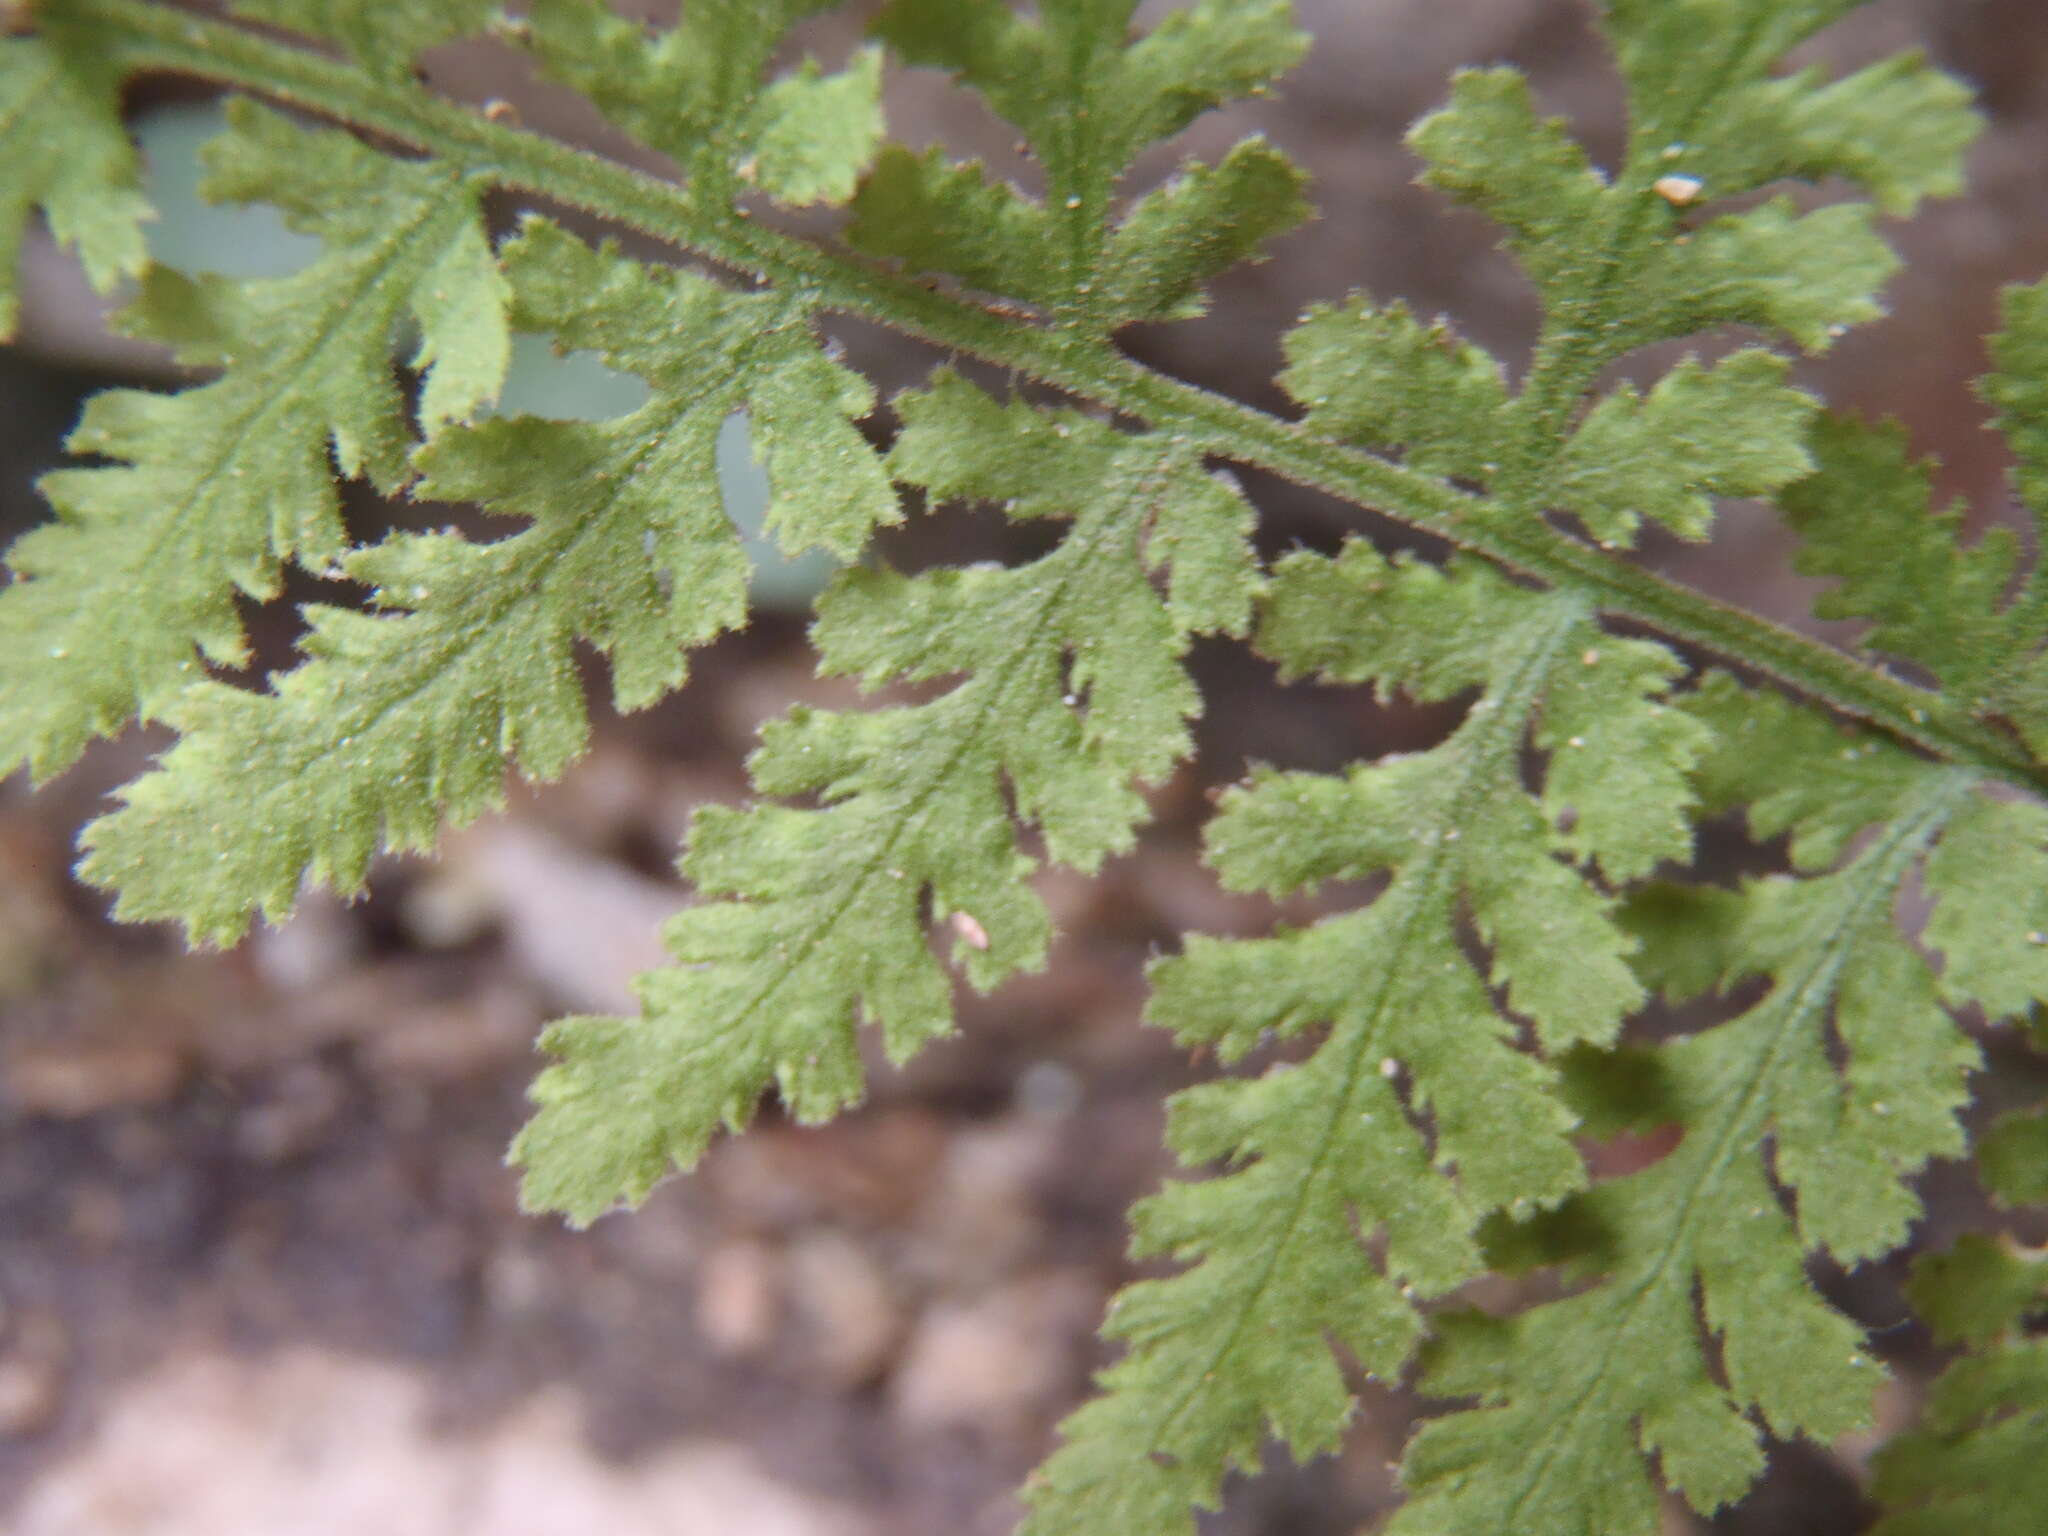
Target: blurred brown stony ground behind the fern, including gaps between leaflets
x=261, y=1267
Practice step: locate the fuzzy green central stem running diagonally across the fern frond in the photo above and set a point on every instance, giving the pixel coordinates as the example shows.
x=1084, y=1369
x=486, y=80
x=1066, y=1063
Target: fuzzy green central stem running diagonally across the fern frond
x=159, y=38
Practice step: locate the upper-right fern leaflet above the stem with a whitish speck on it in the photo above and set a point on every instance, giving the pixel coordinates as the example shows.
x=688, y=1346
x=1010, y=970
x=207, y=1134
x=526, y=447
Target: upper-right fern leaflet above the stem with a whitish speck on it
x=1625, y=261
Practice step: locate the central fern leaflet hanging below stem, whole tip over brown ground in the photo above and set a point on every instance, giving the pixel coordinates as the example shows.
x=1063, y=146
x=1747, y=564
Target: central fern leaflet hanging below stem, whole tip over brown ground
x=1072, y=689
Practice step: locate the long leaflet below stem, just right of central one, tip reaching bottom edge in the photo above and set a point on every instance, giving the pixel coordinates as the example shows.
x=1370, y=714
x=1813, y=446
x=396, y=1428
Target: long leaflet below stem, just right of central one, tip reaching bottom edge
x=1332, y=1150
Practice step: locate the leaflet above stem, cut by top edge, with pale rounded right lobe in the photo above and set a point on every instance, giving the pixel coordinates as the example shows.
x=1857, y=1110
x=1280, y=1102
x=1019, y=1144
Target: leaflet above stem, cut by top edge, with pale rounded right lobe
x=697, y=93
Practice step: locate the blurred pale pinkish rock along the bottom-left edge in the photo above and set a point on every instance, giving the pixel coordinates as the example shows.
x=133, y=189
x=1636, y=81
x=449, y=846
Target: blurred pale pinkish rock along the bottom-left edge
x=323, y=1445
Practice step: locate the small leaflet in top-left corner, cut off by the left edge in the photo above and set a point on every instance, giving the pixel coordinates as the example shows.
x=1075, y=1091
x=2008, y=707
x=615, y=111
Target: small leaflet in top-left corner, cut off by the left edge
x=65, y=153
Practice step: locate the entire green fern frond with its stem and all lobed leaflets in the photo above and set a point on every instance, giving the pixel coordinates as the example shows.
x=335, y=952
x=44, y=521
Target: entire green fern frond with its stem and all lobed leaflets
x=1467, y=1031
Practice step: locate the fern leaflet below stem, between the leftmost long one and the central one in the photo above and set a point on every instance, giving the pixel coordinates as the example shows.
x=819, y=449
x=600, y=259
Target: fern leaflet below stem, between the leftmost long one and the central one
x=404, y=720
